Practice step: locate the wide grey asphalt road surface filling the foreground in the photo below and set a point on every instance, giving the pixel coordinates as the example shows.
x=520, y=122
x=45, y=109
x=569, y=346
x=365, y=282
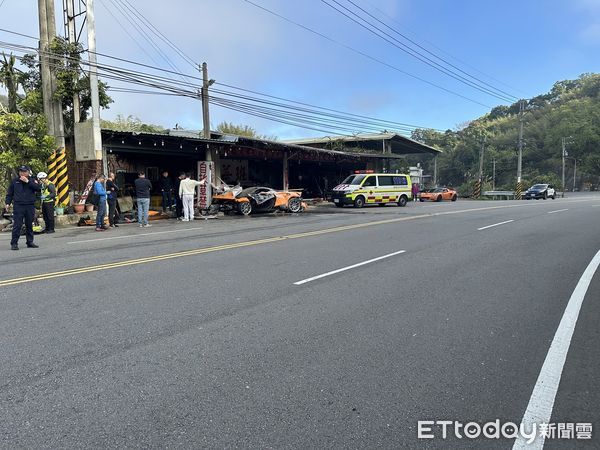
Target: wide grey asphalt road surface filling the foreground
x=199, y=335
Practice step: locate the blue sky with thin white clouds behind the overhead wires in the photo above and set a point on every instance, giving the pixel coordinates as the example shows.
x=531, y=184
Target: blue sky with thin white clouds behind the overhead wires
x=526, y=45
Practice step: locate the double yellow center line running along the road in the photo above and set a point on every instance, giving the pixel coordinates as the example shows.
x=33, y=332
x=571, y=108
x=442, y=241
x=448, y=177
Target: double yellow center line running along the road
x=199, y=251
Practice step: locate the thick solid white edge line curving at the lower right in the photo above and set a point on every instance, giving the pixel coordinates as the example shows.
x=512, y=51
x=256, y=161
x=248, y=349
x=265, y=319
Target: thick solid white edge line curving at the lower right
x=541, y=403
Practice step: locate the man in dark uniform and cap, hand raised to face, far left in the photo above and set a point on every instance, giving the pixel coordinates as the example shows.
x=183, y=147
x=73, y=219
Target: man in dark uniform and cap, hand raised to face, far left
x=22, y=193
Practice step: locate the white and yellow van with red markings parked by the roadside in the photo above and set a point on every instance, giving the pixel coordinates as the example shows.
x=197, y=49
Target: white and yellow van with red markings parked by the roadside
x=368, y=188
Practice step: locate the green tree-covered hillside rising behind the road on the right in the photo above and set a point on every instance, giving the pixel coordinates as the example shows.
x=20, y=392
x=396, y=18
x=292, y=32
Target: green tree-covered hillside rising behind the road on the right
x=570, y=110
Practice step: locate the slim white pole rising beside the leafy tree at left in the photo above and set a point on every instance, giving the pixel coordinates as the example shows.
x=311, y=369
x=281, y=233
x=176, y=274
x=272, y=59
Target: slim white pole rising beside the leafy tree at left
x=93, y=74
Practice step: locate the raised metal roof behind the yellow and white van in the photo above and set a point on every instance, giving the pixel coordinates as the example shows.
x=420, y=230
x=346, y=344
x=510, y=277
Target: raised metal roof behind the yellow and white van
x=400, y=145
